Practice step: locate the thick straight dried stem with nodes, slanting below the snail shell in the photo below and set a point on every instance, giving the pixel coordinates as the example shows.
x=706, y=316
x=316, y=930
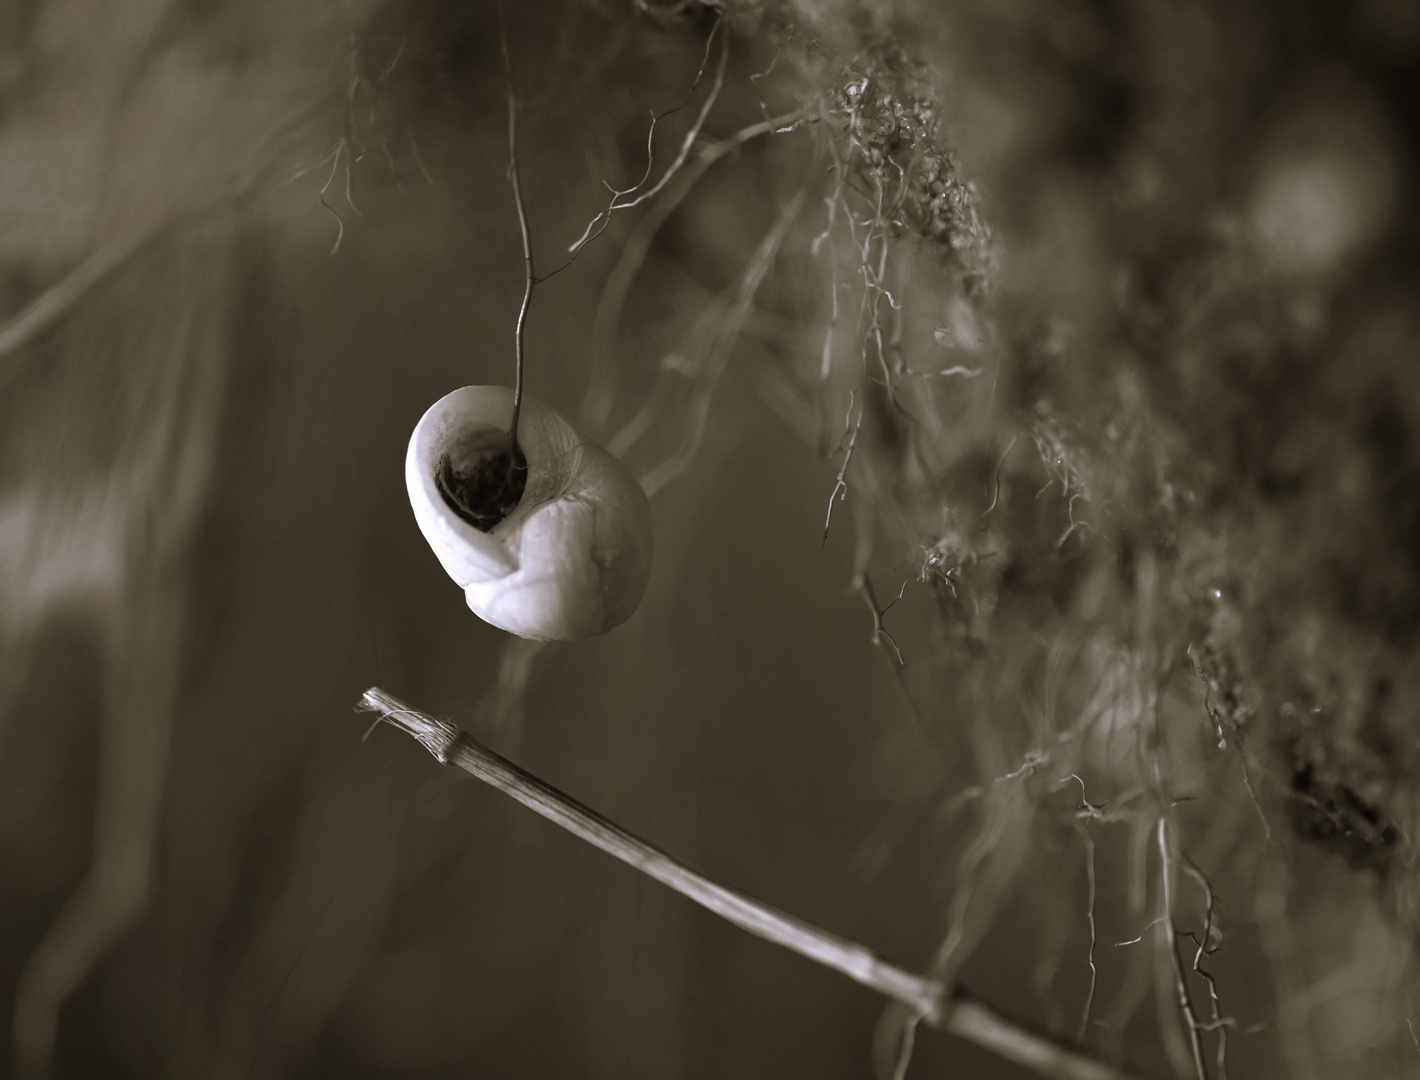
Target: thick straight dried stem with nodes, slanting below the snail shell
x=954, y=1011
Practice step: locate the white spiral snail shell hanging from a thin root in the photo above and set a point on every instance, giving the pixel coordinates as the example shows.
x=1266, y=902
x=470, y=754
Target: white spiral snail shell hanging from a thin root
x=573, y=557
